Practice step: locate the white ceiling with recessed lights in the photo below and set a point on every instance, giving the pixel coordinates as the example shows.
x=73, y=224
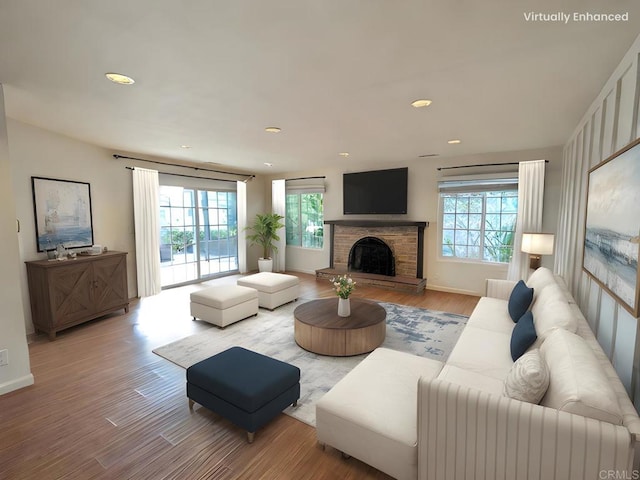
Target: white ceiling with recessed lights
x=335, y=75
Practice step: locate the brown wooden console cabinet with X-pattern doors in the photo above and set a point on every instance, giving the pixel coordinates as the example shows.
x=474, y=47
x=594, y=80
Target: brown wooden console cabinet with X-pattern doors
x=70, y=292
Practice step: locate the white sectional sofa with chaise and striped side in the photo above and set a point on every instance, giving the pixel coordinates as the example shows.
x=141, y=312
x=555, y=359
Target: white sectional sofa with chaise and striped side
x=414, y=417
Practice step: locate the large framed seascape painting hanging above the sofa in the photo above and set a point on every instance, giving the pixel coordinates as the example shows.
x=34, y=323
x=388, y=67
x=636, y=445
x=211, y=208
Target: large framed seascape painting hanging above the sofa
x=612, y=228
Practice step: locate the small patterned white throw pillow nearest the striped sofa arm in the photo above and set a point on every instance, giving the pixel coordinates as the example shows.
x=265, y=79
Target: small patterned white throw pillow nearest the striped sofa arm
x=528, y=379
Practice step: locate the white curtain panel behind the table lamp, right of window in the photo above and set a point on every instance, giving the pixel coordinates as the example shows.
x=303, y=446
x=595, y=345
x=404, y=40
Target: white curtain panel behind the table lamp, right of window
x=530, y=203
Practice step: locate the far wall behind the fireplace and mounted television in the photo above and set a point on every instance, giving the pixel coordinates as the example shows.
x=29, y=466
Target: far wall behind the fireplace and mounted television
x=423, y=201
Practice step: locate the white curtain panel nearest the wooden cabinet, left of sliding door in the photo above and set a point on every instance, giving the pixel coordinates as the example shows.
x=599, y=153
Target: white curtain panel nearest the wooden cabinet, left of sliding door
x=146, y=208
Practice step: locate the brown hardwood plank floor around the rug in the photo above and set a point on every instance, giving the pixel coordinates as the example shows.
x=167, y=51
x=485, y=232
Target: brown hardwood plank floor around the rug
x=105, y=407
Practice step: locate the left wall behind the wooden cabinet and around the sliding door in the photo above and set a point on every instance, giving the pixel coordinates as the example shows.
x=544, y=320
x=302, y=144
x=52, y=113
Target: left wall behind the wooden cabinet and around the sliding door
x=37, y=152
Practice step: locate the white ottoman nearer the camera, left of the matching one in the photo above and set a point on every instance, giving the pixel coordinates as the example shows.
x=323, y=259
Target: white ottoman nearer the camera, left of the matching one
x=224, y=304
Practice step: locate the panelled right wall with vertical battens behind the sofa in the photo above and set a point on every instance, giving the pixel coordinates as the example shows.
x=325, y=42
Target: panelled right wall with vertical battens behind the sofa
x=610, y=123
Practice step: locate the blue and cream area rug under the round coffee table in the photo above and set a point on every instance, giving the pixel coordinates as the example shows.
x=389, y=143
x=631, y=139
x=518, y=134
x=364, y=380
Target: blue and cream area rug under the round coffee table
x=419, y=331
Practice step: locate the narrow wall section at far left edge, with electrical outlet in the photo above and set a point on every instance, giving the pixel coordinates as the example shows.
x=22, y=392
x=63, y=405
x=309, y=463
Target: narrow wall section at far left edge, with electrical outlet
x=17, y=373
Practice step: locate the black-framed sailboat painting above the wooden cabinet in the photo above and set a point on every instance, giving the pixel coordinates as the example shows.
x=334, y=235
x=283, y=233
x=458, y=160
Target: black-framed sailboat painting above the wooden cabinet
x=62, y=211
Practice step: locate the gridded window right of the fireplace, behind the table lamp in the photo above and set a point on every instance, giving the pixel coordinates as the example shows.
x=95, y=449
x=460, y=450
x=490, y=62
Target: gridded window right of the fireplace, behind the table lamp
x=478, y=218
